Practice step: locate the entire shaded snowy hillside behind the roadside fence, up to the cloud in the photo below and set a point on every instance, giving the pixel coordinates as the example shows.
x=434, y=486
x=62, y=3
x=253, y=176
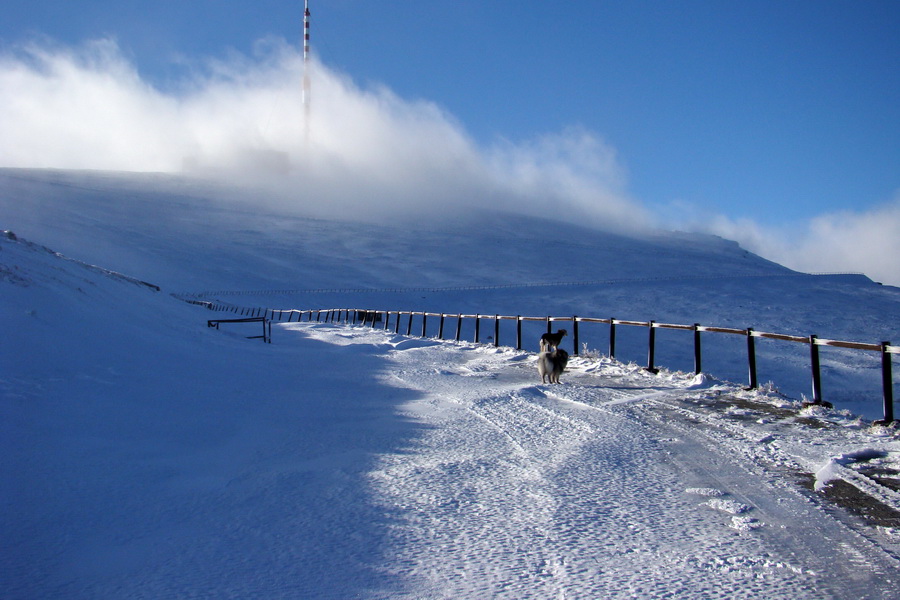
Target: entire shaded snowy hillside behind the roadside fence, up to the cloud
x=192, y=237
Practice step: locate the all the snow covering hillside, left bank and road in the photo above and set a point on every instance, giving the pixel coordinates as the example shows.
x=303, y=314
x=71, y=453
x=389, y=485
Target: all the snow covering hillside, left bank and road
x=148, y=456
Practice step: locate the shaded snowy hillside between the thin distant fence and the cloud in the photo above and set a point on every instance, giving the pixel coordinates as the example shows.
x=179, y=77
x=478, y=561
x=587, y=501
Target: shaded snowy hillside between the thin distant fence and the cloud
x=192, y=235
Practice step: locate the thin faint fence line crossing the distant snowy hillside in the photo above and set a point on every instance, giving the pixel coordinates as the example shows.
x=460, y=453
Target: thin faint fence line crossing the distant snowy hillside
x=464, y=288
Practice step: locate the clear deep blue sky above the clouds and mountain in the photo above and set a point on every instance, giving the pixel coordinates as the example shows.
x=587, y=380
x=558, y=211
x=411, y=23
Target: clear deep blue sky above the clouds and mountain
x=772, y=112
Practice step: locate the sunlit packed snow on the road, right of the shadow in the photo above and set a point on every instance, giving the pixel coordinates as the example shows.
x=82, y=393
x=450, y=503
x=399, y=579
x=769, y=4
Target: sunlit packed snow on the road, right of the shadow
x=523, y=490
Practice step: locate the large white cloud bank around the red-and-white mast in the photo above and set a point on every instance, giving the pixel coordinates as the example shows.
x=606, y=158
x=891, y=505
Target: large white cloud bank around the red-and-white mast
x=362, y=150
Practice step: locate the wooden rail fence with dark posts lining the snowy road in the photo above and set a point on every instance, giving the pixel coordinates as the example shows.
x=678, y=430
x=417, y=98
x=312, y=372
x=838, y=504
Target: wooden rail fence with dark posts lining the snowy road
x=372, y=317
